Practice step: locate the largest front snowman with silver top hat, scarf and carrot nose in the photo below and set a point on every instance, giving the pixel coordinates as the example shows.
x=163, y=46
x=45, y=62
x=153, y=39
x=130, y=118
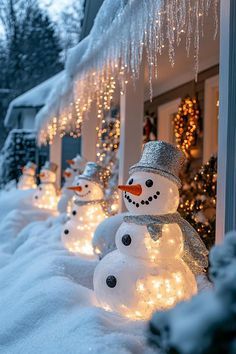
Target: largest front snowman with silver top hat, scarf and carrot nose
x=158, y=252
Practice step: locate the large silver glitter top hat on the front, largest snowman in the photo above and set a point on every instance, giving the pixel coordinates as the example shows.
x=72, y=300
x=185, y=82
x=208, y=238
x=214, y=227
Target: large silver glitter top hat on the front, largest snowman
x=162, y=158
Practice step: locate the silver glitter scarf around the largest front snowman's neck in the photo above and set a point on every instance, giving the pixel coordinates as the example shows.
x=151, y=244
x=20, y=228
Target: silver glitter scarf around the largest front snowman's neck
x=195, y=252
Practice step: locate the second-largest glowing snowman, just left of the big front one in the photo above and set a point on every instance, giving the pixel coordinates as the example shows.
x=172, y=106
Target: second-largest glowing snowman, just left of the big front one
x=87, y=211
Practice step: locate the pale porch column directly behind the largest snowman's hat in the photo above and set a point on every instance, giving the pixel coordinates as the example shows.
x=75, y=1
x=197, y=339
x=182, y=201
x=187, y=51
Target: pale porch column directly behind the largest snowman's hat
x=131, y=127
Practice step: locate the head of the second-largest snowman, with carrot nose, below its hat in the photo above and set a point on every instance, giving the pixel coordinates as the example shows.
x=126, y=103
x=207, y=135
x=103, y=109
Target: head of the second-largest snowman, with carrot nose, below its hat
x=87, y=190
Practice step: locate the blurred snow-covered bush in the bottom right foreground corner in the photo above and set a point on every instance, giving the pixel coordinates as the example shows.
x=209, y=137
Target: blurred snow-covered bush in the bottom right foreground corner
x=207, y=323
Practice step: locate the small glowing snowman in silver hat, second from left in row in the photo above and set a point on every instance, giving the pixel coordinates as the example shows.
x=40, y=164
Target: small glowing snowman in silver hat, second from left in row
x=45, y=196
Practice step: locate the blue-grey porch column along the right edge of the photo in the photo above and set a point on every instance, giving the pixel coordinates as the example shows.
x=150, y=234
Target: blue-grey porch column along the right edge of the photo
x=226, y=187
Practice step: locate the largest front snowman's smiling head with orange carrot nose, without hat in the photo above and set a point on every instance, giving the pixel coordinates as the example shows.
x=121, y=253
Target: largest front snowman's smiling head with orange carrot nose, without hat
x=148, y=193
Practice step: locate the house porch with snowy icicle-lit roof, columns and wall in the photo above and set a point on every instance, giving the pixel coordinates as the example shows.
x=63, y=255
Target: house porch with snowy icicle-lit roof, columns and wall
x=103, y=58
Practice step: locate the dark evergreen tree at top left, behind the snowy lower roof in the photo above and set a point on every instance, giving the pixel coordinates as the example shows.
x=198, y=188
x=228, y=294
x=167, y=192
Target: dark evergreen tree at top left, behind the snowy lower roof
x=32, y=46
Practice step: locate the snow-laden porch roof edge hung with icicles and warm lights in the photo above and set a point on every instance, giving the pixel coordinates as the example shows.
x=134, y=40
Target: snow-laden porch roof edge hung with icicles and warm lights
x=117, y=44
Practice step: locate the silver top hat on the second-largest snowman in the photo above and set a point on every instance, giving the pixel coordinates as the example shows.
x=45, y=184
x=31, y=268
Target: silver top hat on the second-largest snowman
x=96, y=173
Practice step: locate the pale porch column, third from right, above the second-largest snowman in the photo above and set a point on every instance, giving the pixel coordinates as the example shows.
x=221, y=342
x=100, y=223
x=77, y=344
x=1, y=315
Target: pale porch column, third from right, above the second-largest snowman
x=89, y=135
